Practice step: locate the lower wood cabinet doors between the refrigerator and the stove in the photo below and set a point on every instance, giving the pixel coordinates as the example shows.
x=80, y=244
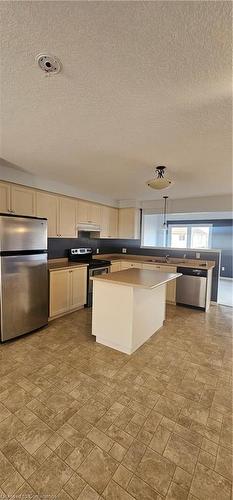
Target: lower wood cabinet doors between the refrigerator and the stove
x=67, y=290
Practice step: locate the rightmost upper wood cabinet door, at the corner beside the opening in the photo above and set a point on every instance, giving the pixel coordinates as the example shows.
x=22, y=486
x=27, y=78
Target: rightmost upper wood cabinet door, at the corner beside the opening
x=129, y=223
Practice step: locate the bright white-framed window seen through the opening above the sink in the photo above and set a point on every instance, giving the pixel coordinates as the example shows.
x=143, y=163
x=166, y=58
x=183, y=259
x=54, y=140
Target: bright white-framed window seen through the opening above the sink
x=189, y=236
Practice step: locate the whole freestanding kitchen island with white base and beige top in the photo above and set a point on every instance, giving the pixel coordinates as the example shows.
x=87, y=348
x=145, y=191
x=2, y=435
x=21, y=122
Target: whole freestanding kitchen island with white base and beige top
x=129, y=307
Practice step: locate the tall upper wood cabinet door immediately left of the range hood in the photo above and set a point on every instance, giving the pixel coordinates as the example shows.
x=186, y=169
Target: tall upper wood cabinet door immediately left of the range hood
x=67, y=217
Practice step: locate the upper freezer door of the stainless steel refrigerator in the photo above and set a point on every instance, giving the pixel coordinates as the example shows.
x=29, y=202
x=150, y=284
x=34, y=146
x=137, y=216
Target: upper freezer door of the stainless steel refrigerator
x=22, y=233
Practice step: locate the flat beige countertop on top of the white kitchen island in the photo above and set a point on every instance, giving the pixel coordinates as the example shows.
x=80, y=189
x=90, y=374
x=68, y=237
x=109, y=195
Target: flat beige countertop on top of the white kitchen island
x=138, y=278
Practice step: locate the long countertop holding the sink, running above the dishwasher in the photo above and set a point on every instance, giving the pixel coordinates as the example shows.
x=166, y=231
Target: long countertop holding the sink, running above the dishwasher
x=150, y=259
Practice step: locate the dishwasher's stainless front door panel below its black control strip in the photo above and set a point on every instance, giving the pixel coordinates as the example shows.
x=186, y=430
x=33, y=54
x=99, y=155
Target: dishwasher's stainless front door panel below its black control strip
x=191, y=290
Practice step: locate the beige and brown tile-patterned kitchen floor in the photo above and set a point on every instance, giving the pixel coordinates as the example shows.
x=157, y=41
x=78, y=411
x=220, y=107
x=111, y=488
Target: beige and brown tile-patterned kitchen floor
x=82, y=421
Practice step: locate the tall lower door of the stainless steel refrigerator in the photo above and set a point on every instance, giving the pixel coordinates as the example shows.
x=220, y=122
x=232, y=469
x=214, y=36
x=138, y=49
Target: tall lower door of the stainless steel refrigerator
x=23, y=294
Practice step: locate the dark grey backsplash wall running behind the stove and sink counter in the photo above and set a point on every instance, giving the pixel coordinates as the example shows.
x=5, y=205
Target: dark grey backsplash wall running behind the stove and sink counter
x=58, y=248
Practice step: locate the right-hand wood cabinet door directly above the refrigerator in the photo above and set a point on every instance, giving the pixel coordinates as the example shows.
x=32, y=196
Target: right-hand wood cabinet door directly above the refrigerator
x=23, y=200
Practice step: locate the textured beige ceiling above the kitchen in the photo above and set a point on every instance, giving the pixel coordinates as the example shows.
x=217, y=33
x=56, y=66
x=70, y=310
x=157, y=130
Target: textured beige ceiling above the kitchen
x=143, y=83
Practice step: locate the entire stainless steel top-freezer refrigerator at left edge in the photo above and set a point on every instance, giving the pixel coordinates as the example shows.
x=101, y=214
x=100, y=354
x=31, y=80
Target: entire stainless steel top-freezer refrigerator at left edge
x=23, y=275
